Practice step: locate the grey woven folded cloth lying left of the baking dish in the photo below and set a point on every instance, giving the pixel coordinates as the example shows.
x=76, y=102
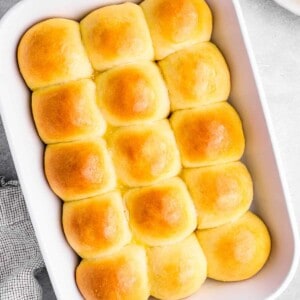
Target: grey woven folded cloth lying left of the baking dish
x=20, y=257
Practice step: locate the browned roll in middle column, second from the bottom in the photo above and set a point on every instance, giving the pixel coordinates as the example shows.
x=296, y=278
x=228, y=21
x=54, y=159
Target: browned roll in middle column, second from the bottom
x=161, y=214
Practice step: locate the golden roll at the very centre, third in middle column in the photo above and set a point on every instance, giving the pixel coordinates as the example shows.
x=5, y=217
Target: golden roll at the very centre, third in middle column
x=145, y=154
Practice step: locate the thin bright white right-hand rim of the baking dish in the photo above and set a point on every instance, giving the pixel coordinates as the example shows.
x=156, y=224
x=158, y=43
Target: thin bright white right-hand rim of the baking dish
x=279, y=162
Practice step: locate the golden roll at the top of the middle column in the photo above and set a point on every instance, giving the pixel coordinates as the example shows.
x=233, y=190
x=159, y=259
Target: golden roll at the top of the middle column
x=116, y=34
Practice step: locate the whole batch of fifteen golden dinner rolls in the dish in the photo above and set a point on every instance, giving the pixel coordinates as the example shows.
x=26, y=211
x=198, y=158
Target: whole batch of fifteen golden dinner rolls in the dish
x=143, y=149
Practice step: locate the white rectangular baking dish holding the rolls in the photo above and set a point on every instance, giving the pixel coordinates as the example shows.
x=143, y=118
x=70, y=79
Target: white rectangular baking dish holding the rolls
x=271, y=197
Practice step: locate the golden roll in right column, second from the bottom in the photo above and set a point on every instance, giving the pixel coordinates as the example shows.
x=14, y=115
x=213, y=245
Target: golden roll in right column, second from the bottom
x=221, y=193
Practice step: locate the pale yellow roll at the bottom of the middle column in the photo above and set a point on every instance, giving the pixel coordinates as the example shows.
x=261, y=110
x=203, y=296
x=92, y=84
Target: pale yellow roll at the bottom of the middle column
x=176, y=271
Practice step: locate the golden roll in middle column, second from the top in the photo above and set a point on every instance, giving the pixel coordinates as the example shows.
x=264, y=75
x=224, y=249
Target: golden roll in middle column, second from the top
x=133, y=94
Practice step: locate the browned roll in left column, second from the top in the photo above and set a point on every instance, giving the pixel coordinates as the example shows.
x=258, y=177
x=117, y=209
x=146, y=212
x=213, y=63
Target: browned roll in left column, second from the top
x=67, y=112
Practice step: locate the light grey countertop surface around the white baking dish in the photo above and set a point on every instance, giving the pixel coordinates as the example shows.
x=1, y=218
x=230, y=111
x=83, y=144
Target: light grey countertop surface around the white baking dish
x=275, y=37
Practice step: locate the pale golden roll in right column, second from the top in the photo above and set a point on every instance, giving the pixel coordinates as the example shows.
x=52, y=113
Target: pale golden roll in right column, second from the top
x=196, y=76
